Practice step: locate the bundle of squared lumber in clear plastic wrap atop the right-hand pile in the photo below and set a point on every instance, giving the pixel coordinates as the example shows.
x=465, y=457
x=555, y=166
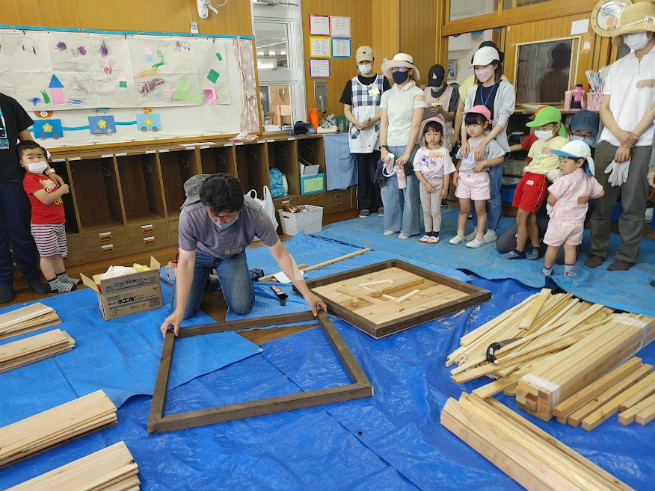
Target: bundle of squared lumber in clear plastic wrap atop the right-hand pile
x=562, y=374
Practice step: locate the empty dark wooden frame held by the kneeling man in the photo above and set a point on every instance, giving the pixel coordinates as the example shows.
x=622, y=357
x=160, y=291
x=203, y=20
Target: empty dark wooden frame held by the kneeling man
x=157, y=422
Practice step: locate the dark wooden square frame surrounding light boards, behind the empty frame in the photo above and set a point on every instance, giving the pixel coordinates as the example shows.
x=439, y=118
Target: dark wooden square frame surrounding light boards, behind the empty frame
x=475, y=296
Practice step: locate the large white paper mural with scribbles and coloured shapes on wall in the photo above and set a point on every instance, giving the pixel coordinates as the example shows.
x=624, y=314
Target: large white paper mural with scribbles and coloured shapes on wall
x=72, y=70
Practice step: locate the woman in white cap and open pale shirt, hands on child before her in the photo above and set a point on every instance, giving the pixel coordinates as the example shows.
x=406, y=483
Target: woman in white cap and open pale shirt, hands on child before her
x=499, y=96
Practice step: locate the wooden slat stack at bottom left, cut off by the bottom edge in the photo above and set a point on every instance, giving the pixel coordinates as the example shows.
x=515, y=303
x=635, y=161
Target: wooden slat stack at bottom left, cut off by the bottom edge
x=112, y=468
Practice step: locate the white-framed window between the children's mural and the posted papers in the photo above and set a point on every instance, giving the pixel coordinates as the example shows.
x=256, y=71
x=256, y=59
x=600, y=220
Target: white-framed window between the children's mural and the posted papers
x=278, y=39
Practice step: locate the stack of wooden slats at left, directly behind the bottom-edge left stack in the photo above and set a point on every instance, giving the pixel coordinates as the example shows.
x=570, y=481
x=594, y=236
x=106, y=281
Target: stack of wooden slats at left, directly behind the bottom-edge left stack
x=54, y=426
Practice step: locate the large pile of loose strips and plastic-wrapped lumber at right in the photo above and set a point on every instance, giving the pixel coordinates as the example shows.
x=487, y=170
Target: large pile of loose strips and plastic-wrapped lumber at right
x=556, y=346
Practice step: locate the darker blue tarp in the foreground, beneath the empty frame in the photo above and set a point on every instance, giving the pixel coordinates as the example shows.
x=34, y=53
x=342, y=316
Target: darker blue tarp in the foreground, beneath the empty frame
x=390, y=441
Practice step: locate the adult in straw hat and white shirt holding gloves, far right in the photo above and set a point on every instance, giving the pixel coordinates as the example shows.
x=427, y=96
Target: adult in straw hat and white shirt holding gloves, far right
x=624, y=147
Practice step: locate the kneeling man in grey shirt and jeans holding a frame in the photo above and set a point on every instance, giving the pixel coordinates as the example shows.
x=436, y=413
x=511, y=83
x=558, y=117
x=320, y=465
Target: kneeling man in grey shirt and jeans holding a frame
x=217, y=223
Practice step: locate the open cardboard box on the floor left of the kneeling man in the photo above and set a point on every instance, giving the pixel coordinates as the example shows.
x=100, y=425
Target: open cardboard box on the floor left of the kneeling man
x=129, y=294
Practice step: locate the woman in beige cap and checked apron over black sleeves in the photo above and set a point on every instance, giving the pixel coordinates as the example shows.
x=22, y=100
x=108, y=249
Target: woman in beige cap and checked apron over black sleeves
x=361, y=105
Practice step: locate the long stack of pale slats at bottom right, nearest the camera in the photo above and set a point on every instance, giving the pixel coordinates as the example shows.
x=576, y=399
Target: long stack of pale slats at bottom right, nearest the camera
x=524, y=452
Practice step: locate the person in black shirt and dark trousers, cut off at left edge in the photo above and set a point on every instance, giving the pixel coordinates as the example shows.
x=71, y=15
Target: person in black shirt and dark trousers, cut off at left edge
x=14, y=204
